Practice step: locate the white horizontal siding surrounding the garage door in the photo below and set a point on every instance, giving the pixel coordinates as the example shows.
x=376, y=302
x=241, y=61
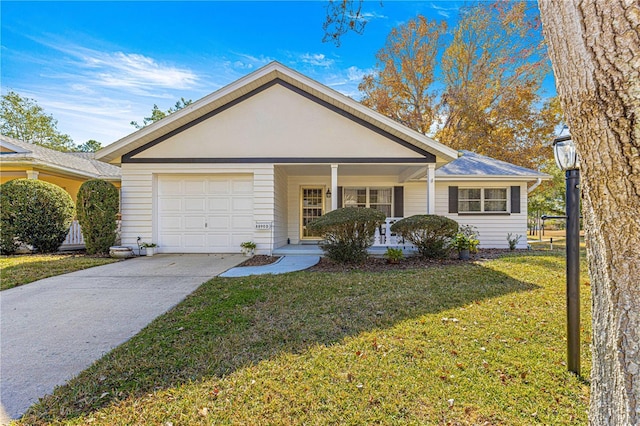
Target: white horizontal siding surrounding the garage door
x=139, y=194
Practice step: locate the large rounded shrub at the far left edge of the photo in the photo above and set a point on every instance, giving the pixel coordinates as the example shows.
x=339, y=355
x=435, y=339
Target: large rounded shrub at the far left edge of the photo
x=35, y=213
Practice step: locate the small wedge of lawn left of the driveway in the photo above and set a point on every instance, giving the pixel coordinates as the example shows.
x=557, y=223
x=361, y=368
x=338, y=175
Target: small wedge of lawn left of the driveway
x=23, y=269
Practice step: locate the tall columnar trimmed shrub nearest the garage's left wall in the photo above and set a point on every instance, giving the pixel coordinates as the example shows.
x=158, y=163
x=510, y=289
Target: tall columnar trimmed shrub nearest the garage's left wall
x=97, y=207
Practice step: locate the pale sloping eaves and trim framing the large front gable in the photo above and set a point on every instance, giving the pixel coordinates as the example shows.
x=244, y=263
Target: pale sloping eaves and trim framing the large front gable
x=232, y=93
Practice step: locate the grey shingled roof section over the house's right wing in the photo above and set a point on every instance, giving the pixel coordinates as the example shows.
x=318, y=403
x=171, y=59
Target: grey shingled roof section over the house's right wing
x=470, y=166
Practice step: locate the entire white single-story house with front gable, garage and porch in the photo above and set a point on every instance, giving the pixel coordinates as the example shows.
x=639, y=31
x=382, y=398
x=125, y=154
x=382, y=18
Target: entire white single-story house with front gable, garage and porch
x=260, y=158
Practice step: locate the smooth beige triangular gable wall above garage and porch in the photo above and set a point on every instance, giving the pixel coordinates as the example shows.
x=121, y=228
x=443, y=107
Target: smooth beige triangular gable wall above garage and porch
x=278, y=123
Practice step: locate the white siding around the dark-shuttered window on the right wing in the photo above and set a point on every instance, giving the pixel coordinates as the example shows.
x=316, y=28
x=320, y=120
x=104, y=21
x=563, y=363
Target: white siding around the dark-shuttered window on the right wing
x=493, y=229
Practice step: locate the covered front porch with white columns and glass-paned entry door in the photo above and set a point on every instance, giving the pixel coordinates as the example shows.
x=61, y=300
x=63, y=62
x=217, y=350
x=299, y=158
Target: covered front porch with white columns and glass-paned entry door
x=303, y=193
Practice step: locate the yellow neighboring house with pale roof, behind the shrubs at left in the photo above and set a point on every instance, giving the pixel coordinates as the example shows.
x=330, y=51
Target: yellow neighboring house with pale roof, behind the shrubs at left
x=68, y=170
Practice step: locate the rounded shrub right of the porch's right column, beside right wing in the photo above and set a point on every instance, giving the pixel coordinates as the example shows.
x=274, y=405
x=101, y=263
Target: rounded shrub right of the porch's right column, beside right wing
x=431, y=234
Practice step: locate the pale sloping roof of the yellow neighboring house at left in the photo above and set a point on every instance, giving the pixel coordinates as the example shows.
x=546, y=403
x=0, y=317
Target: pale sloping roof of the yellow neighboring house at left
x=18, y=152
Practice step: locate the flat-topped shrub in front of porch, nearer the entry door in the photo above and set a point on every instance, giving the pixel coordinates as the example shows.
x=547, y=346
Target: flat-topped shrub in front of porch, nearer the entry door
x=348, y=232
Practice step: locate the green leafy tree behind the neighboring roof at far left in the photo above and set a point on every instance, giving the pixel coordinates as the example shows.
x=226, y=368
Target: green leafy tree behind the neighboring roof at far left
x=23, y=119
